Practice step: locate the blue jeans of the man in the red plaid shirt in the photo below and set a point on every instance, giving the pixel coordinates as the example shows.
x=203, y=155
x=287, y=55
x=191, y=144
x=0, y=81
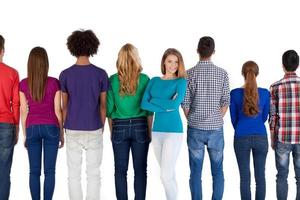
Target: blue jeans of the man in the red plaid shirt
x=282, y=157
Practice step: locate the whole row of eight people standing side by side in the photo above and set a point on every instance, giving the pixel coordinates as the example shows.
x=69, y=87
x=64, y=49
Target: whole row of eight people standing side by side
x=84, y=96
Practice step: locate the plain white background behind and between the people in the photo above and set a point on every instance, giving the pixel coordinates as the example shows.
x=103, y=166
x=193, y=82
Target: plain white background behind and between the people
x=243, y=30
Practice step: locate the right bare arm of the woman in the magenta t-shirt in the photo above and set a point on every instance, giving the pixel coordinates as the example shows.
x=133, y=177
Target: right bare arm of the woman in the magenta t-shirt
x=59, y=116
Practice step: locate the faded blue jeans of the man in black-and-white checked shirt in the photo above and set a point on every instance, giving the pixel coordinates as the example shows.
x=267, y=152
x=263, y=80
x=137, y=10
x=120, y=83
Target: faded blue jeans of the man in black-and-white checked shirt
x=214, y=140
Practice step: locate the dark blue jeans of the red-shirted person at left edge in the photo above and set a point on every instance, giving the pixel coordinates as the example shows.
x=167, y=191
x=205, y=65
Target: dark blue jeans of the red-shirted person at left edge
x=7, y=139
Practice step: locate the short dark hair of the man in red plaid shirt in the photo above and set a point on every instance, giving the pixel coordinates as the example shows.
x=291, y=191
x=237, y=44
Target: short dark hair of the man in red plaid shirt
x=290, y=60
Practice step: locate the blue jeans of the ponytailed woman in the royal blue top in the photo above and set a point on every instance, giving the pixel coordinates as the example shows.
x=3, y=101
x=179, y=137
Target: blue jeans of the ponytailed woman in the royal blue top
x=243, y=146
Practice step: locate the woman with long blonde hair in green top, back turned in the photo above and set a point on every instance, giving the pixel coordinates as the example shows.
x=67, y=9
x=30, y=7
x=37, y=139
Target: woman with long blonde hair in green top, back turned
x=129, y=123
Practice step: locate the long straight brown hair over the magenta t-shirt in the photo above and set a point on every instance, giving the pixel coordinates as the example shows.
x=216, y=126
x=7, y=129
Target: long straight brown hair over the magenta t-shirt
x=37, y=72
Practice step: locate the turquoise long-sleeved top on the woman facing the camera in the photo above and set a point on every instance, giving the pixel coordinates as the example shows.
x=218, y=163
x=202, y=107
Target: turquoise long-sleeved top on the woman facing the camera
x=164, y=98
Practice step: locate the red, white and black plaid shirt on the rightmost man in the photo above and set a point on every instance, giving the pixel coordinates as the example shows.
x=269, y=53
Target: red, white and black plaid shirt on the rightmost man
x=284, y=118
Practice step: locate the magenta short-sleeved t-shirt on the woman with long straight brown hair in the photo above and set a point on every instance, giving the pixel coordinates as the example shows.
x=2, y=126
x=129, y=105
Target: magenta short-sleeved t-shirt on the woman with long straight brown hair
x=41, y=112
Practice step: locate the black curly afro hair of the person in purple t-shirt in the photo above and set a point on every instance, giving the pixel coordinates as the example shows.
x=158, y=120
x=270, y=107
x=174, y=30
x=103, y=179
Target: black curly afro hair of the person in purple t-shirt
x=83, y=43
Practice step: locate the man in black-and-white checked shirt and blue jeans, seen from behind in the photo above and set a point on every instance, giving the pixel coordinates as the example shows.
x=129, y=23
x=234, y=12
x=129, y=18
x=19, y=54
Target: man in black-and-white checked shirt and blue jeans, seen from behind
x=206, y=102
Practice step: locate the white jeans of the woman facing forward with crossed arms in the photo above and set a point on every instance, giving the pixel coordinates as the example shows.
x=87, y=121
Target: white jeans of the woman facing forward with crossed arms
x=166, y=148
